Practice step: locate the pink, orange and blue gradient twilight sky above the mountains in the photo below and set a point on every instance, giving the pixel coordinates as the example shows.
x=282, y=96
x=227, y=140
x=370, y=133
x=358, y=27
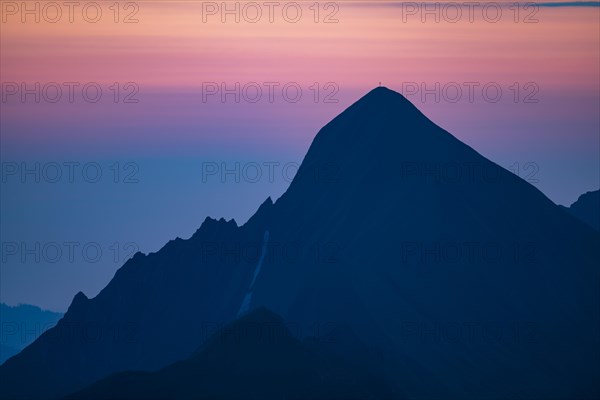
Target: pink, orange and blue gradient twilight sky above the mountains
x=171, y=131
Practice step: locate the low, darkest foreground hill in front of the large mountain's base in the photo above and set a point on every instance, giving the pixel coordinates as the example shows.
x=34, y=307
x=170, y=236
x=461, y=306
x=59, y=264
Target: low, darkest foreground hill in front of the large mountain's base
x=255, y=357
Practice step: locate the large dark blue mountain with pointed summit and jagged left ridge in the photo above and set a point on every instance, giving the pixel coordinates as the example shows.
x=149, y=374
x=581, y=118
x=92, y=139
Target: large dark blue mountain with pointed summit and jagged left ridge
x=467, y=281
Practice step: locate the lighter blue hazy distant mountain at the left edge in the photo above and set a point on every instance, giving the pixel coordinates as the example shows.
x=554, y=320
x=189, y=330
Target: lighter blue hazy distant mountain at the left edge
x=20, y=325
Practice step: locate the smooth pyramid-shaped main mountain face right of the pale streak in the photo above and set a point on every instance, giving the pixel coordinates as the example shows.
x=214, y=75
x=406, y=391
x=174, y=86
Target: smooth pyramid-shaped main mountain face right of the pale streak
x=456, y=267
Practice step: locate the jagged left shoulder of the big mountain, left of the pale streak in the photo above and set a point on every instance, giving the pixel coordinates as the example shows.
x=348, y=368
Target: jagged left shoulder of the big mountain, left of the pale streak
x=152, y=313
